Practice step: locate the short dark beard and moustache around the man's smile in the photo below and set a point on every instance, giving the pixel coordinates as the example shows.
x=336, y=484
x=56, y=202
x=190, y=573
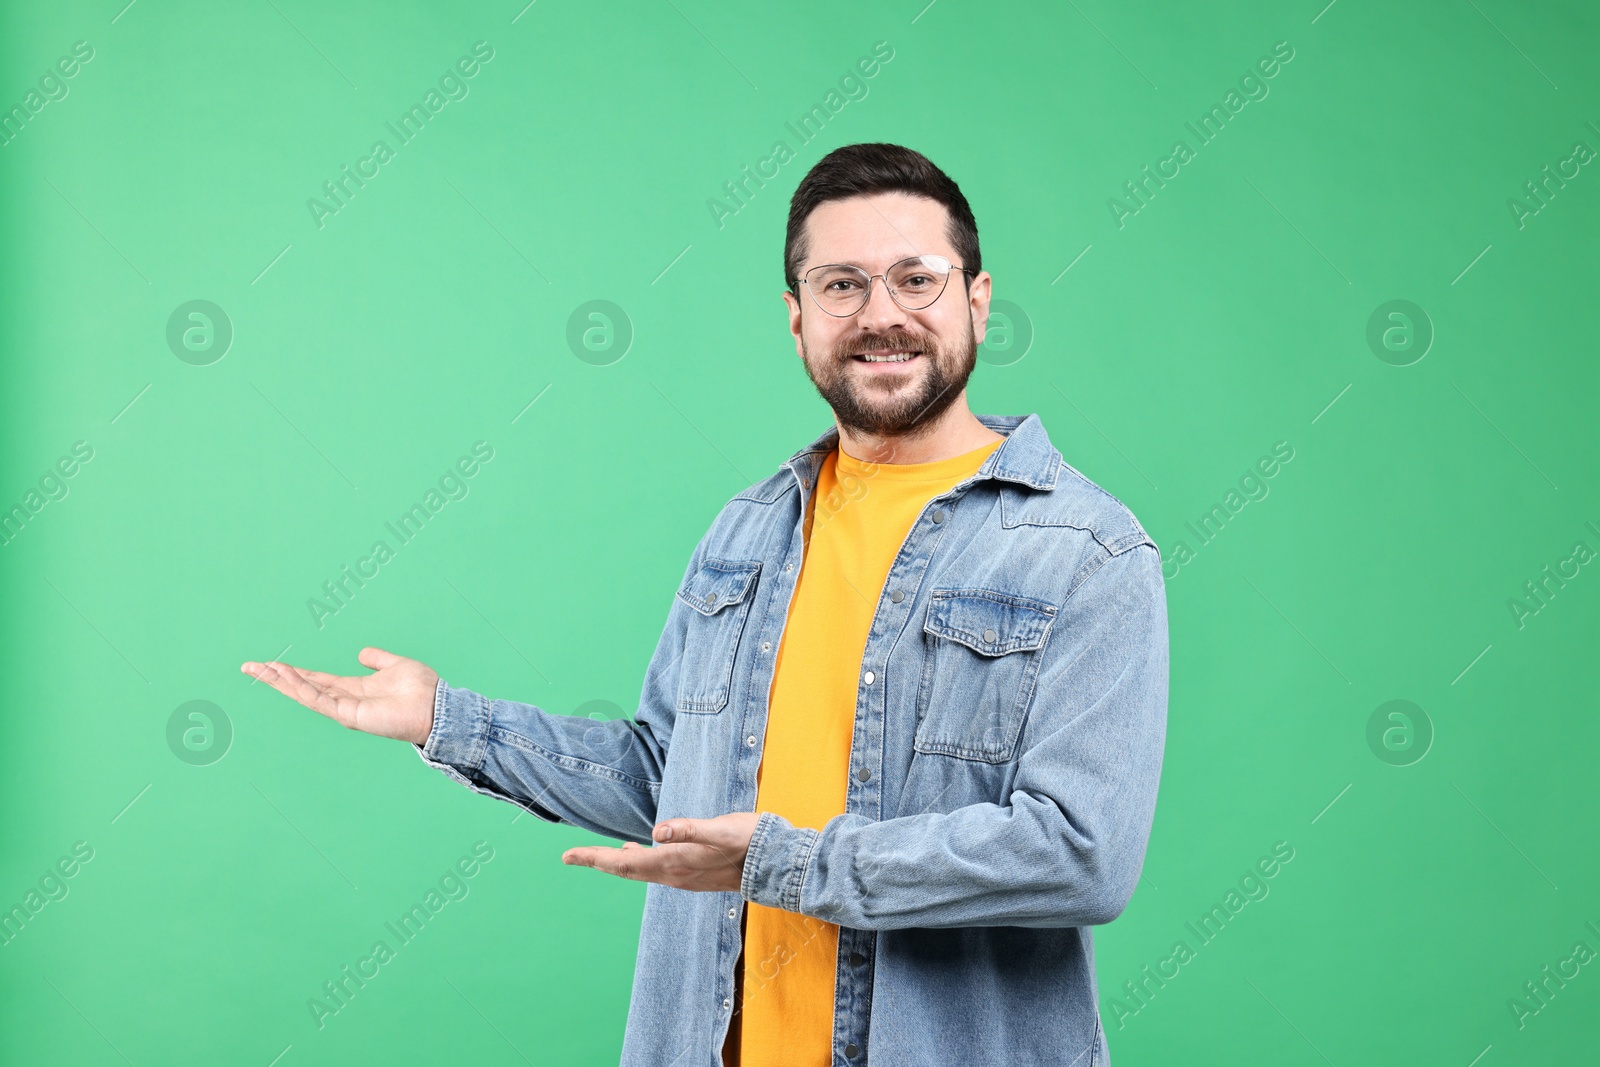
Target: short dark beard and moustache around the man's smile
x=886, y=406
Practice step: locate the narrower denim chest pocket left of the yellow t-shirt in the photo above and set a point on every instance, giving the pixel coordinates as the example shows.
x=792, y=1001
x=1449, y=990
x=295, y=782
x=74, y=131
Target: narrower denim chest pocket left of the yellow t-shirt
x=721, y=594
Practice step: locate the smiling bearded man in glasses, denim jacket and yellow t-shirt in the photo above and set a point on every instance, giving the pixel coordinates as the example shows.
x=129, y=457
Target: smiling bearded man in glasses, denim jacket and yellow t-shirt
x=898, y=746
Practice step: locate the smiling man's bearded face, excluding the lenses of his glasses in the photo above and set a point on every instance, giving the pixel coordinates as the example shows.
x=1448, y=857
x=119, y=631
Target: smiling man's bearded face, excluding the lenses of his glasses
x=887, y=399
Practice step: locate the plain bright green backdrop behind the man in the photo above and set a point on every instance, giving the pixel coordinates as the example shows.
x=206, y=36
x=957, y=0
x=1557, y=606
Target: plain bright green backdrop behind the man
x=433, y=311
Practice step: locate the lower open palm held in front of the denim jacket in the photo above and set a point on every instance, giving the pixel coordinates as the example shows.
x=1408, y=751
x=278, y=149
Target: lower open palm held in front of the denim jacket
x=702, y=855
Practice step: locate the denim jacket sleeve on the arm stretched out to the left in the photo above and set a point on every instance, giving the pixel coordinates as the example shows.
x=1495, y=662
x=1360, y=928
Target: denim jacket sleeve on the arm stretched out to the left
x=602, y=777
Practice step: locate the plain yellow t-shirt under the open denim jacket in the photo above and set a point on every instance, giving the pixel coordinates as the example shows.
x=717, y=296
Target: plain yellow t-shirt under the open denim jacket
x=858, y=519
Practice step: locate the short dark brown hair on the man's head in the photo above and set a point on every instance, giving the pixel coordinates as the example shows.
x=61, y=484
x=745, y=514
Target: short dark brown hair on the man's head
x=857, y=170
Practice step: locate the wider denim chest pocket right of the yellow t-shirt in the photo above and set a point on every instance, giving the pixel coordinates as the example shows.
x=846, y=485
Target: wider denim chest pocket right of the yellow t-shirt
x=983, y=655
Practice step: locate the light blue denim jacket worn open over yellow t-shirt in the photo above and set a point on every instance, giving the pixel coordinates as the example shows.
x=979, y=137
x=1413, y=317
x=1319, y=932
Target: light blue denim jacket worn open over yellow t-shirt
x=1002, y=781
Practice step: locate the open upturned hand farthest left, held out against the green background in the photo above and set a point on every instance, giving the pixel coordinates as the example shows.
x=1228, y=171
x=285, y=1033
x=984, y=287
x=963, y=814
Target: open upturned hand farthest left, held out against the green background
x=396, y=701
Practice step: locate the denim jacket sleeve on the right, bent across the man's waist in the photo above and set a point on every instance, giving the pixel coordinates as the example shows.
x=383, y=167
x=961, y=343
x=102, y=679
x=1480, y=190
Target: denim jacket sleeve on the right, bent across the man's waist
x=1068, y=844
